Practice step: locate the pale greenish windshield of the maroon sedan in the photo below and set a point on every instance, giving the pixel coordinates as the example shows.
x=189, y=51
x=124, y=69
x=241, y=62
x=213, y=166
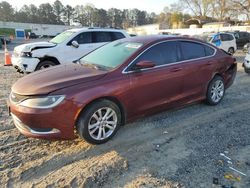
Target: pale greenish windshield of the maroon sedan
x=111, y=55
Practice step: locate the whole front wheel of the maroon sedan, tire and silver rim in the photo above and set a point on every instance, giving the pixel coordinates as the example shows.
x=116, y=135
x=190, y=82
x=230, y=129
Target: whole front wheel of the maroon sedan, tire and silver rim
x=99, y=122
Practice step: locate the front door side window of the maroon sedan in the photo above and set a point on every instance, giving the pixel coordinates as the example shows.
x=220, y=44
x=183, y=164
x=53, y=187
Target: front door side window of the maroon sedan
x=161, y=54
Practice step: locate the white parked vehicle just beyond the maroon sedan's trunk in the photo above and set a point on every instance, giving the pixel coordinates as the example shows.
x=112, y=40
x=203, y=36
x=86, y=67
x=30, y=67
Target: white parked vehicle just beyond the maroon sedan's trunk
x=224, y=41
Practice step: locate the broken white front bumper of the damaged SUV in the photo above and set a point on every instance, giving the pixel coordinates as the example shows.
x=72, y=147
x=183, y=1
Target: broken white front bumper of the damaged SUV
x=25, y=64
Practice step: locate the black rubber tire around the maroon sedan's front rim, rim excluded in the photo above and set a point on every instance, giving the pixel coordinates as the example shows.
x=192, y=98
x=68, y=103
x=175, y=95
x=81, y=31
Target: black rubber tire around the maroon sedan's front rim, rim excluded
x=82, y=124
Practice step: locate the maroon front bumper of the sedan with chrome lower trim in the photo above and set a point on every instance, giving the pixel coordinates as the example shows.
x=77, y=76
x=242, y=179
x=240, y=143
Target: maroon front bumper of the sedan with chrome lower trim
x=55, y=123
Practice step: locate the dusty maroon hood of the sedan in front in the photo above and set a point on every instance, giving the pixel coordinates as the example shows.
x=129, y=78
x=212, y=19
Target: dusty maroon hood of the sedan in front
x=55, y=78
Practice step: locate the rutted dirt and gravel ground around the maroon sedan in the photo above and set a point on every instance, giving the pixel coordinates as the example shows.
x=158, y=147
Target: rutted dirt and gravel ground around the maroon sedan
x=178, y=148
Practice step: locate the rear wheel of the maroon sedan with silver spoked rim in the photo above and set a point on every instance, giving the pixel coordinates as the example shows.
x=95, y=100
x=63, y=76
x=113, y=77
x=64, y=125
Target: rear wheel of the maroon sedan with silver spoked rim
x=215, y=91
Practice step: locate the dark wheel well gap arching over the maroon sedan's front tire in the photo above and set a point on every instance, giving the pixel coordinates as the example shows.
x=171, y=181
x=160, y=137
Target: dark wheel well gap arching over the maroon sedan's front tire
x=112, y=99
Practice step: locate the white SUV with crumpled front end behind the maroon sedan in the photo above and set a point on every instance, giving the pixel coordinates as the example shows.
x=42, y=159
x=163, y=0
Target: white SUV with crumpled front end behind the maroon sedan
x=64, y=48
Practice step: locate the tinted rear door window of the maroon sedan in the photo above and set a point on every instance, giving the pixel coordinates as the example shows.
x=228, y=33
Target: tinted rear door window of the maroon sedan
x=192, y=50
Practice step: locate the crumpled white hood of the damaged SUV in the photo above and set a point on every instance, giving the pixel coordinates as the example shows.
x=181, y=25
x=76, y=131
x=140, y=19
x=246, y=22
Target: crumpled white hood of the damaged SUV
x=32, y=46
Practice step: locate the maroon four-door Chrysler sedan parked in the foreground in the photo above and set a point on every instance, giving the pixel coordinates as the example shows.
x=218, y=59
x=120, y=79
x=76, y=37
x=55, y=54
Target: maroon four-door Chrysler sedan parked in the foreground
x=117, y=83
